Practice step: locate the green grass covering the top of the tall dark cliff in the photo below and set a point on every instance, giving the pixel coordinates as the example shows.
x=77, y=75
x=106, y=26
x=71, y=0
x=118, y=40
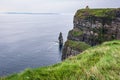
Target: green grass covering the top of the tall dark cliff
x=108, y=12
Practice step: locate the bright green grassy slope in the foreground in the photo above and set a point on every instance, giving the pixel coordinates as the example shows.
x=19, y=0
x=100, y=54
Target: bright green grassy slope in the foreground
x=97, y=63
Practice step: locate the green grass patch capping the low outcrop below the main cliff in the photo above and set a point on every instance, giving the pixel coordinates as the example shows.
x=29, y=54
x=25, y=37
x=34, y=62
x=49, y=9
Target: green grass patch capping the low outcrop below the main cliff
x=77, y=45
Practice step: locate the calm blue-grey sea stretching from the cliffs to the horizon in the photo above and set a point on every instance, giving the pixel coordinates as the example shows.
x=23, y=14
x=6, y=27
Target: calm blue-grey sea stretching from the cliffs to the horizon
x=30, y=41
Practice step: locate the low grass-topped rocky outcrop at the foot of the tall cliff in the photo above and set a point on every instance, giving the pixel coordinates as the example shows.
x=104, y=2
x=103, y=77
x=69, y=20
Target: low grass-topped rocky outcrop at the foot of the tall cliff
x=72, y=48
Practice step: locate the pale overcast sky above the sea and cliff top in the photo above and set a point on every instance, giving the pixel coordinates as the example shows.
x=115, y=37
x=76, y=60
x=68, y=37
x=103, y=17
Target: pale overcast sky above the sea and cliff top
x=56, y=6
